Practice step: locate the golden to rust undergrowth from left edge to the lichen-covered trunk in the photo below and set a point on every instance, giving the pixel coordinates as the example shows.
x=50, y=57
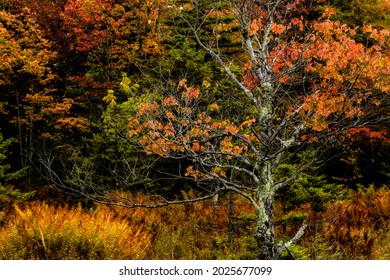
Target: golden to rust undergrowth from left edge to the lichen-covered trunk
x=195, y=231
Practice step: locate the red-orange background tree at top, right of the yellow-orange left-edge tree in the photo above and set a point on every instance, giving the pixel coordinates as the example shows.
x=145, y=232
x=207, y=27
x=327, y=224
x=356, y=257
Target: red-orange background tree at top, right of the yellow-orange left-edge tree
x=108, y=37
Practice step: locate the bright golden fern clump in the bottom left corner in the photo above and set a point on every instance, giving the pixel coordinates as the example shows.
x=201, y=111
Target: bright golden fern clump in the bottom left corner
x=41, y=231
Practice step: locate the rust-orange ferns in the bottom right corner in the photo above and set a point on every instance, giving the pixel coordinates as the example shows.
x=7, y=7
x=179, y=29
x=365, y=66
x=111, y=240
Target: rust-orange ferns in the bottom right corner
x=359, y=228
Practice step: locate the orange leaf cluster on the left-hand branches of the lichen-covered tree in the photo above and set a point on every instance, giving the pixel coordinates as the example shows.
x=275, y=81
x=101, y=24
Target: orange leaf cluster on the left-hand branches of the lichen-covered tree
x=174, y=127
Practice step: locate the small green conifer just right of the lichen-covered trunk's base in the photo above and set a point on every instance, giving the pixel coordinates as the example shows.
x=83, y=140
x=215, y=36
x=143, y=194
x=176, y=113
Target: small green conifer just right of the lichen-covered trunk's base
x=303, y=200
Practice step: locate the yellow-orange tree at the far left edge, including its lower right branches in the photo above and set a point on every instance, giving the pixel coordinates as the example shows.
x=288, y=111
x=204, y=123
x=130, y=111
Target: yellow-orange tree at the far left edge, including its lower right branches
x=29, y=102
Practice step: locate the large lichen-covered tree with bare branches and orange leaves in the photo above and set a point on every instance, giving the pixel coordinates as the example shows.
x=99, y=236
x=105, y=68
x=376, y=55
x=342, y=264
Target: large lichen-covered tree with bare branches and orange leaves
x=305, y=84
